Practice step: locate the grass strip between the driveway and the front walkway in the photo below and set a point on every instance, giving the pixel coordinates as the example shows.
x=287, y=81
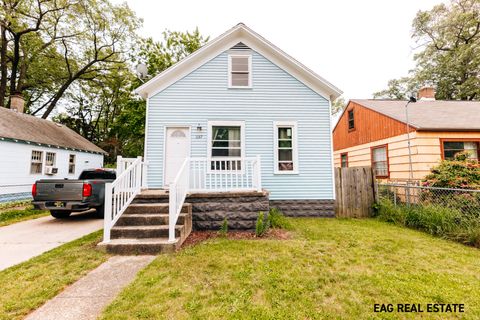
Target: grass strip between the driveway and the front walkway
x=26, y=286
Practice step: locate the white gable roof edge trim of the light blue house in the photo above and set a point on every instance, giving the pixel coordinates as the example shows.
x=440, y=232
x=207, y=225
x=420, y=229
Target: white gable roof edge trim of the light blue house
x=247, y=37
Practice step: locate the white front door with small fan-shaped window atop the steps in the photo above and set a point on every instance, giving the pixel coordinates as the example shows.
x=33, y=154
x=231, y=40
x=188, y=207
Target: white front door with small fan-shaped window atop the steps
x=177, y=148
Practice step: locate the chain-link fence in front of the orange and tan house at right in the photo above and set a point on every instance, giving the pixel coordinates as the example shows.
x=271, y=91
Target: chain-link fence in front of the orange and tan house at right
x=465, y=201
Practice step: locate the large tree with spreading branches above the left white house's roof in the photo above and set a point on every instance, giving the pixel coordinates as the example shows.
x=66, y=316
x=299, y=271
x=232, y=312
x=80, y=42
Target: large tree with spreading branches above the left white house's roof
x=52, y=44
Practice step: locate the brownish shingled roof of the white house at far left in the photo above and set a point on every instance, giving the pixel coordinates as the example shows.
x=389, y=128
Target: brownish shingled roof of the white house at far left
x=27, y=128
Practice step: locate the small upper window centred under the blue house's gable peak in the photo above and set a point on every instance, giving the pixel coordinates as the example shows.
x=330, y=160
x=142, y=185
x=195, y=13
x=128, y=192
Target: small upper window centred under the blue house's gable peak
x=240, y=70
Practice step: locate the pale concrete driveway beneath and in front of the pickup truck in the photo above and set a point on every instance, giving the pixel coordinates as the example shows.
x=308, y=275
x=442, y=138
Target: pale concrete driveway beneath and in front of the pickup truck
x=24, y=240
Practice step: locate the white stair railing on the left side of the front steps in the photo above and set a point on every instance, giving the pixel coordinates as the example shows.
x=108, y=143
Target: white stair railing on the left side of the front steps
x=120, y=193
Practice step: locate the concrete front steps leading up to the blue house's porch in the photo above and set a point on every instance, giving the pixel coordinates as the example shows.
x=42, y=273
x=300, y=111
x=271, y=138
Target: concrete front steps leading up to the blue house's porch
x=143, y=229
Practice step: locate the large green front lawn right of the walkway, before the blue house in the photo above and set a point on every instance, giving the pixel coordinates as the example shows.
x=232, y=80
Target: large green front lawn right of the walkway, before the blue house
x=331, y=269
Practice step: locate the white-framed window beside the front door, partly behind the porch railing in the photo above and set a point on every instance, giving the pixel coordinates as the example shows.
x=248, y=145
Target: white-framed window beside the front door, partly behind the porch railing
x=226, y=144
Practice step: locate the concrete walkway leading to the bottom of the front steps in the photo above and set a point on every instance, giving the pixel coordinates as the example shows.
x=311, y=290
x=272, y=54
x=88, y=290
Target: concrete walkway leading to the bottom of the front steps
x=86, y=298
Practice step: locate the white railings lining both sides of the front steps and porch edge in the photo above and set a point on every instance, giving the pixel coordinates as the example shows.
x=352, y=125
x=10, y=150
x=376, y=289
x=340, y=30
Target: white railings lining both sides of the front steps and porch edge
x=195, y=175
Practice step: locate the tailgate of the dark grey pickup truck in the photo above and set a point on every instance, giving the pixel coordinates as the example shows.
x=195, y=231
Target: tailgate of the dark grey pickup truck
x=59, y=190
